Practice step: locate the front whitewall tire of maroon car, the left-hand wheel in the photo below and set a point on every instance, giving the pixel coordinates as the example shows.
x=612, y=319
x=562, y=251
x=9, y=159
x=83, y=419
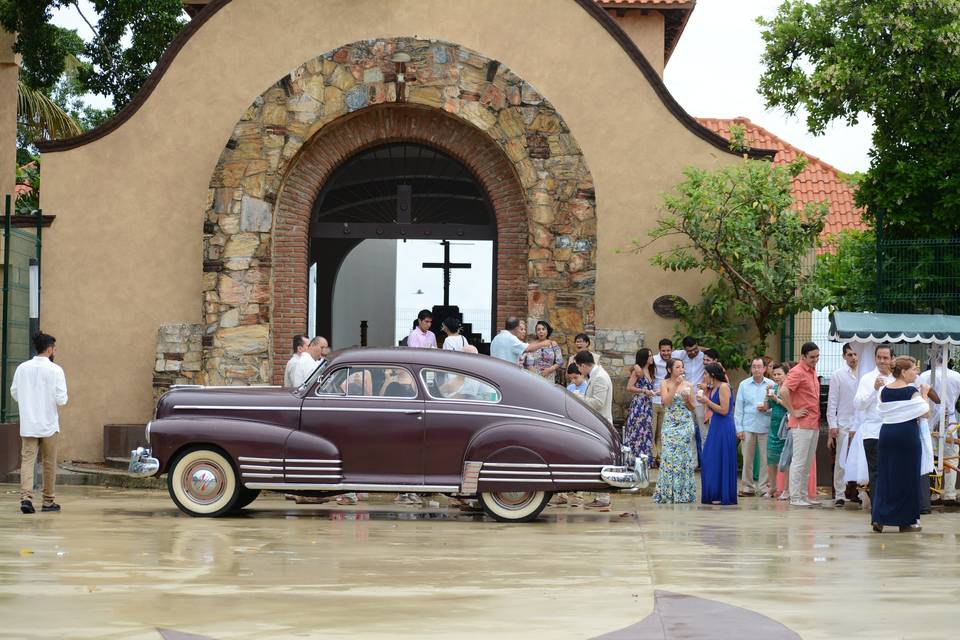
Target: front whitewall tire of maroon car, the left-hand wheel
x=202, y=482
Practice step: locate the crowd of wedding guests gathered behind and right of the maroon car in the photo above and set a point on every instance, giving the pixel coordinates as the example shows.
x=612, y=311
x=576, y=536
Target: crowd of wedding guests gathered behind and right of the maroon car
x=685, y=417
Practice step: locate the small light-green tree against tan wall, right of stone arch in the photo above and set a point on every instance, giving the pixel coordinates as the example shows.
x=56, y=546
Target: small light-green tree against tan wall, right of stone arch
x=740, y=222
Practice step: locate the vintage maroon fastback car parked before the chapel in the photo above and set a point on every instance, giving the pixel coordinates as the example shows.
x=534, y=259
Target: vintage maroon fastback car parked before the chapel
x=386, y=420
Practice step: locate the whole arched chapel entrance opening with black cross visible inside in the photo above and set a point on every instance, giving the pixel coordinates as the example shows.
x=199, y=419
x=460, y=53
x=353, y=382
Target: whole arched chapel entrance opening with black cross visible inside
x=388, y=233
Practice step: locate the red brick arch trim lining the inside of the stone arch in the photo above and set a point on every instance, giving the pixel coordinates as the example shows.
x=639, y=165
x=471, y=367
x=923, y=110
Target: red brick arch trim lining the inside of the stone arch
x=346, y=137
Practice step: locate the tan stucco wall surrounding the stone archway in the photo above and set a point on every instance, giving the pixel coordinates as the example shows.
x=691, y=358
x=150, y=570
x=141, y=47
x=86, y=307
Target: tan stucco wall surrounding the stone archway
x=124, y=255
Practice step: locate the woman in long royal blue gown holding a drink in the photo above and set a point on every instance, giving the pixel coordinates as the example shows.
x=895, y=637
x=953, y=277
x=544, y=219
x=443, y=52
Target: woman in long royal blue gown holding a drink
x=718, y=466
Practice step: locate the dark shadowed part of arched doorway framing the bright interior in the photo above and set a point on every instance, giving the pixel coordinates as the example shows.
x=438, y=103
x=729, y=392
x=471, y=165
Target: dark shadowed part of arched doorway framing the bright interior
x=398, y=191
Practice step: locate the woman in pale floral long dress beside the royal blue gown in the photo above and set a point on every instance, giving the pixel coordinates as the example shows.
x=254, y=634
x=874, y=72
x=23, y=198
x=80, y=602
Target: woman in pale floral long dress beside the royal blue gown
x=675, y=484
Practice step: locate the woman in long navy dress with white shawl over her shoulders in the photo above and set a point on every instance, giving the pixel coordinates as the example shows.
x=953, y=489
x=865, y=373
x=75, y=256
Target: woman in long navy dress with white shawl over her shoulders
x=901, y=451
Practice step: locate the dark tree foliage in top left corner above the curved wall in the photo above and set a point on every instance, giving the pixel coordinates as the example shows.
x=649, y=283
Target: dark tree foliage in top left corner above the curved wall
x=129, y=38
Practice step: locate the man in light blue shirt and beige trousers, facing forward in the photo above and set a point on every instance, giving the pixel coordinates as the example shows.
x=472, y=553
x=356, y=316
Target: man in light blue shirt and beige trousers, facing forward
x=752, y=416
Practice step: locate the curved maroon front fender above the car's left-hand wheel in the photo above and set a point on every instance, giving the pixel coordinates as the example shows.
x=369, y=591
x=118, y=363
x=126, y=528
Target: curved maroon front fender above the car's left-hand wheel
x=236, y=437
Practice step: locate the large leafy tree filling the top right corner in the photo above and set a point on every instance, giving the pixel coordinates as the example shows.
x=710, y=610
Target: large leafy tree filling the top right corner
x=897, y=61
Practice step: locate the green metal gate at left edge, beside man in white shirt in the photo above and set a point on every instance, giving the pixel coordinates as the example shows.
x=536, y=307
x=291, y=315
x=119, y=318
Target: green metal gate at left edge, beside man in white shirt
x=21, y=251
